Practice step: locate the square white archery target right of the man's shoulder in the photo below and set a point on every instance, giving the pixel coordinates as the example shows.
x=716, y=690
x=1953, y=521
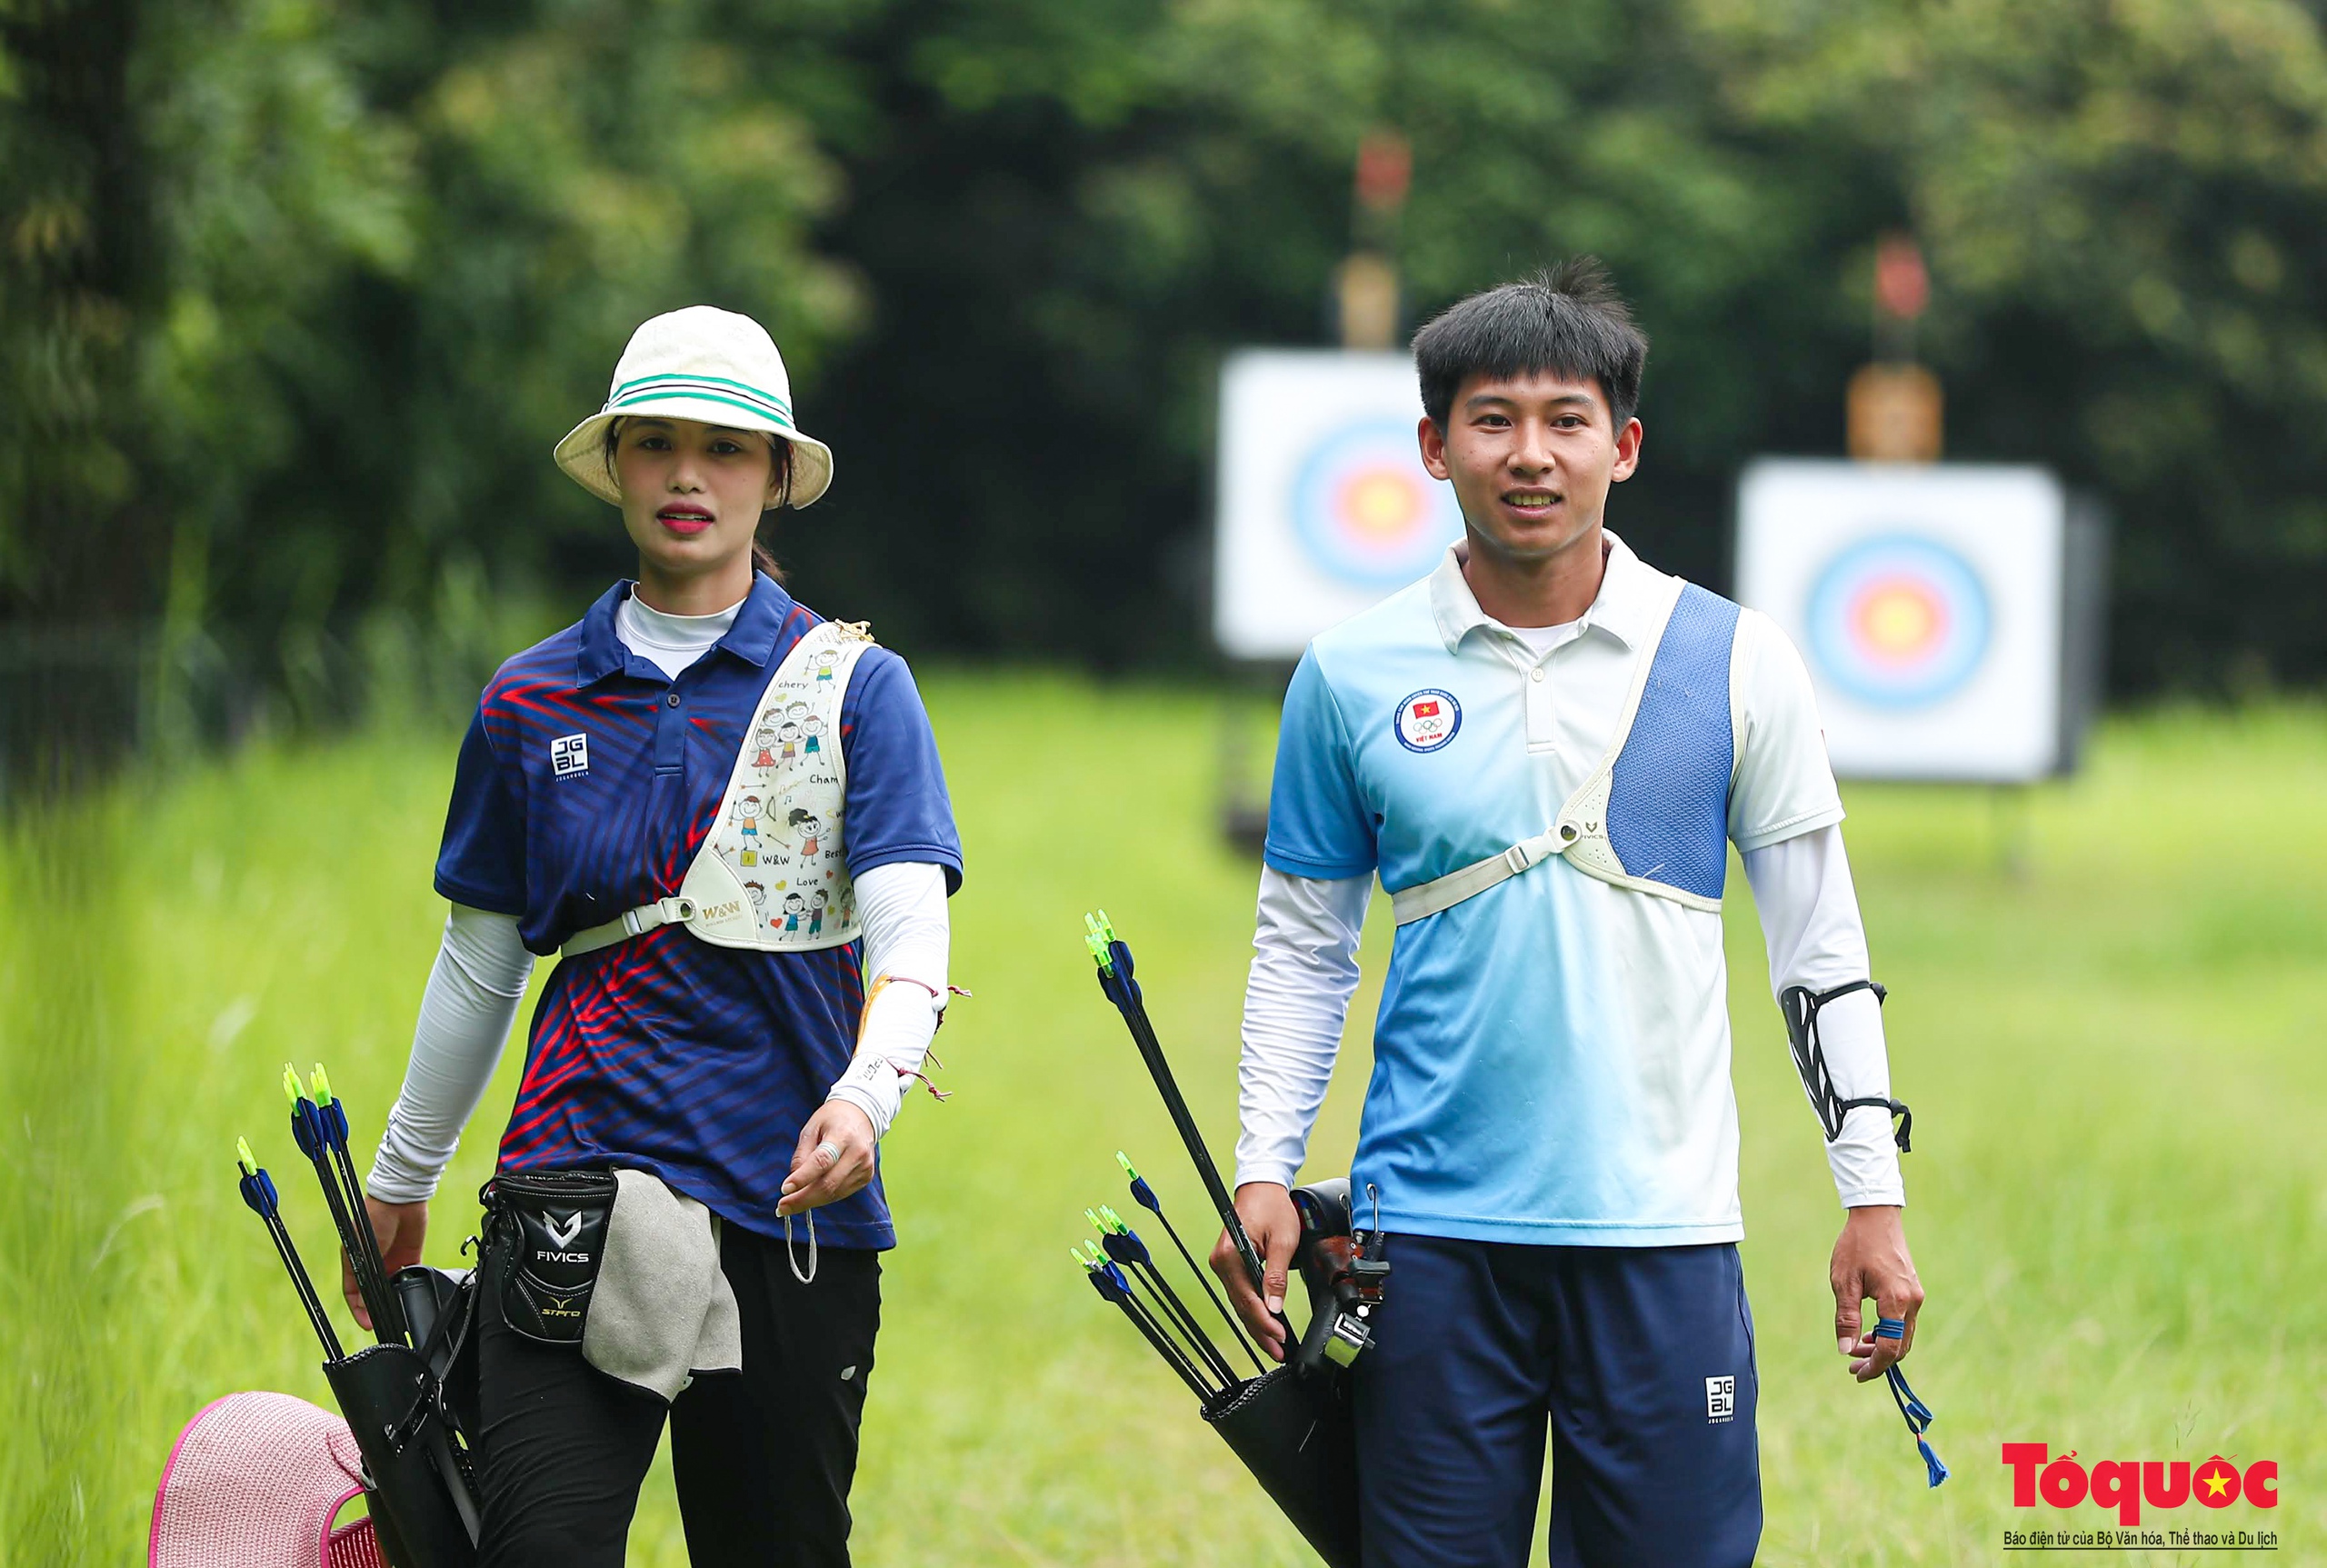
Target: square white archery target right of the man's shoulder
x=1926, y=604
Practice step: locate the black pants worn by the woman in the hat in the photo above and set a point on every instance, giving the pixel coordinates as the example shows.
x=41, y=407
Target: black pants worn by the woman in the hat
x=764, y=1460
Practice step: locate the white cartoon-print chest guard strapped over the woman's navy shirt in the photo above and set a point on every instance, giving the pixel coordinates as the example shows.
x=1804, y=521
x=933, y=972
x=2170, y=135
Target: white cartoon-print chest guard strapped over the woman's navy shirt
x=771, y=874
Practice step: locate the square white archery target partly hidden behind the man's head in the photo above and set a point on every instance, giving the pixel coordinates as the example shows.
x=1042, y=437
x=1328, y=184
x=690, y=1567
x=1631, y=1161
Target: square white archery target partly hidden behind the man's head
x=1325, y=506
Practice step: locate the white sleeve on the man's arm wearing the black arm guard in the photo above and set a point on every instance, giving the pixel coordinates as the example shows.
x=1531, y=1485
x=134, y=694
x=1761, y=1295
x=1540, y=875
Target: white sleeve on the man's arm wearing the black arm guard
x=1814, y=936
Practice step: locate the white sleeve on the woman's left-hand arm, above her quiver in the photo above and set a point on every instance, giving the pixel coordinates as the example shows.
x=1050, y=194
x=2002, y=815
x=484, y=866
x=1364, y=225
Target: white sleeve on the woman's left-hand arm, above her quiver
x=467, y=1013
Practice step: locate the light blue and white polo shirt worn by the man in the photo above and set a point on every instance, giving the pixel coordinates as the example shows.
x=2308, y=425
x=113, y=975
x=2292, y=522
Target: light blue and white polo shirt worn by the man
x=1551, y=1055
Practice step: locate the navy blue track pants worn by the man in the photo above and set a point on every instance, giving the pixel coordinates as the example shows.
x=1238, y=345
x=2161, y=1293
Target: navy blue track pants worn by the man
x=1637, y=1357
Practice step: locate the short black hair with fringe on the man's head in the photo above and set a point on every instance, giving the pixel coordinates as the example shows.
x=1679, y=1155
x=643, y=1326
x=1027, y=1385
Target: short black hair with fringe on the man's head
x=1565, y=320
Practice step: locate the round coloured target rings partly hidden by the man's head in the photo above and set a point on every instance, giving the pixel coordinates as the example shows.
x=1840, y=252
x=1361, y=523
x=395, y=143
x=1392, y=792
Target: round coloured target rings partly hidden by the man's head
x=1367, y=511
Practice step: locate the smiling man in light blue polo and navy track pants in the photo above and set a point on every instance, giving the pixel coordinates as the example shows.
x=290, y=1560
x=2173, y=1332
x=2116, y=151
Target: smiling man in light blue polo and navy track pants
x=1544, y=753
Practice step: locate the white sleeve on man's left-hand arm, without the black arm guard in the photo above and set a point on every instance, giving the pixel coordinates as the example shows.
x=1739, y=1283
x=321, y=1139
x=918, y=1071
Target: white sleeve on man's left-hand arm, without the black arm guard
x=1297, y=999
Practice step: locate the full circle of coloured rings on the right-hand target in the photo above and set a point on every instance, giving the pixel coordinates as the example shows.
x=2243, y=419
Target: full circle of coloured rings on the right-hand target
x=1900, y=622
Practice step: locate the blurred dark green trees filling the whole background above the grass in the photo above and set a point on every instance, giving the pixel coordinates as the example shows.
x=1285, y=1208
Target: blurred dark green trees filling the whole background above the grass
x=297, y=294
